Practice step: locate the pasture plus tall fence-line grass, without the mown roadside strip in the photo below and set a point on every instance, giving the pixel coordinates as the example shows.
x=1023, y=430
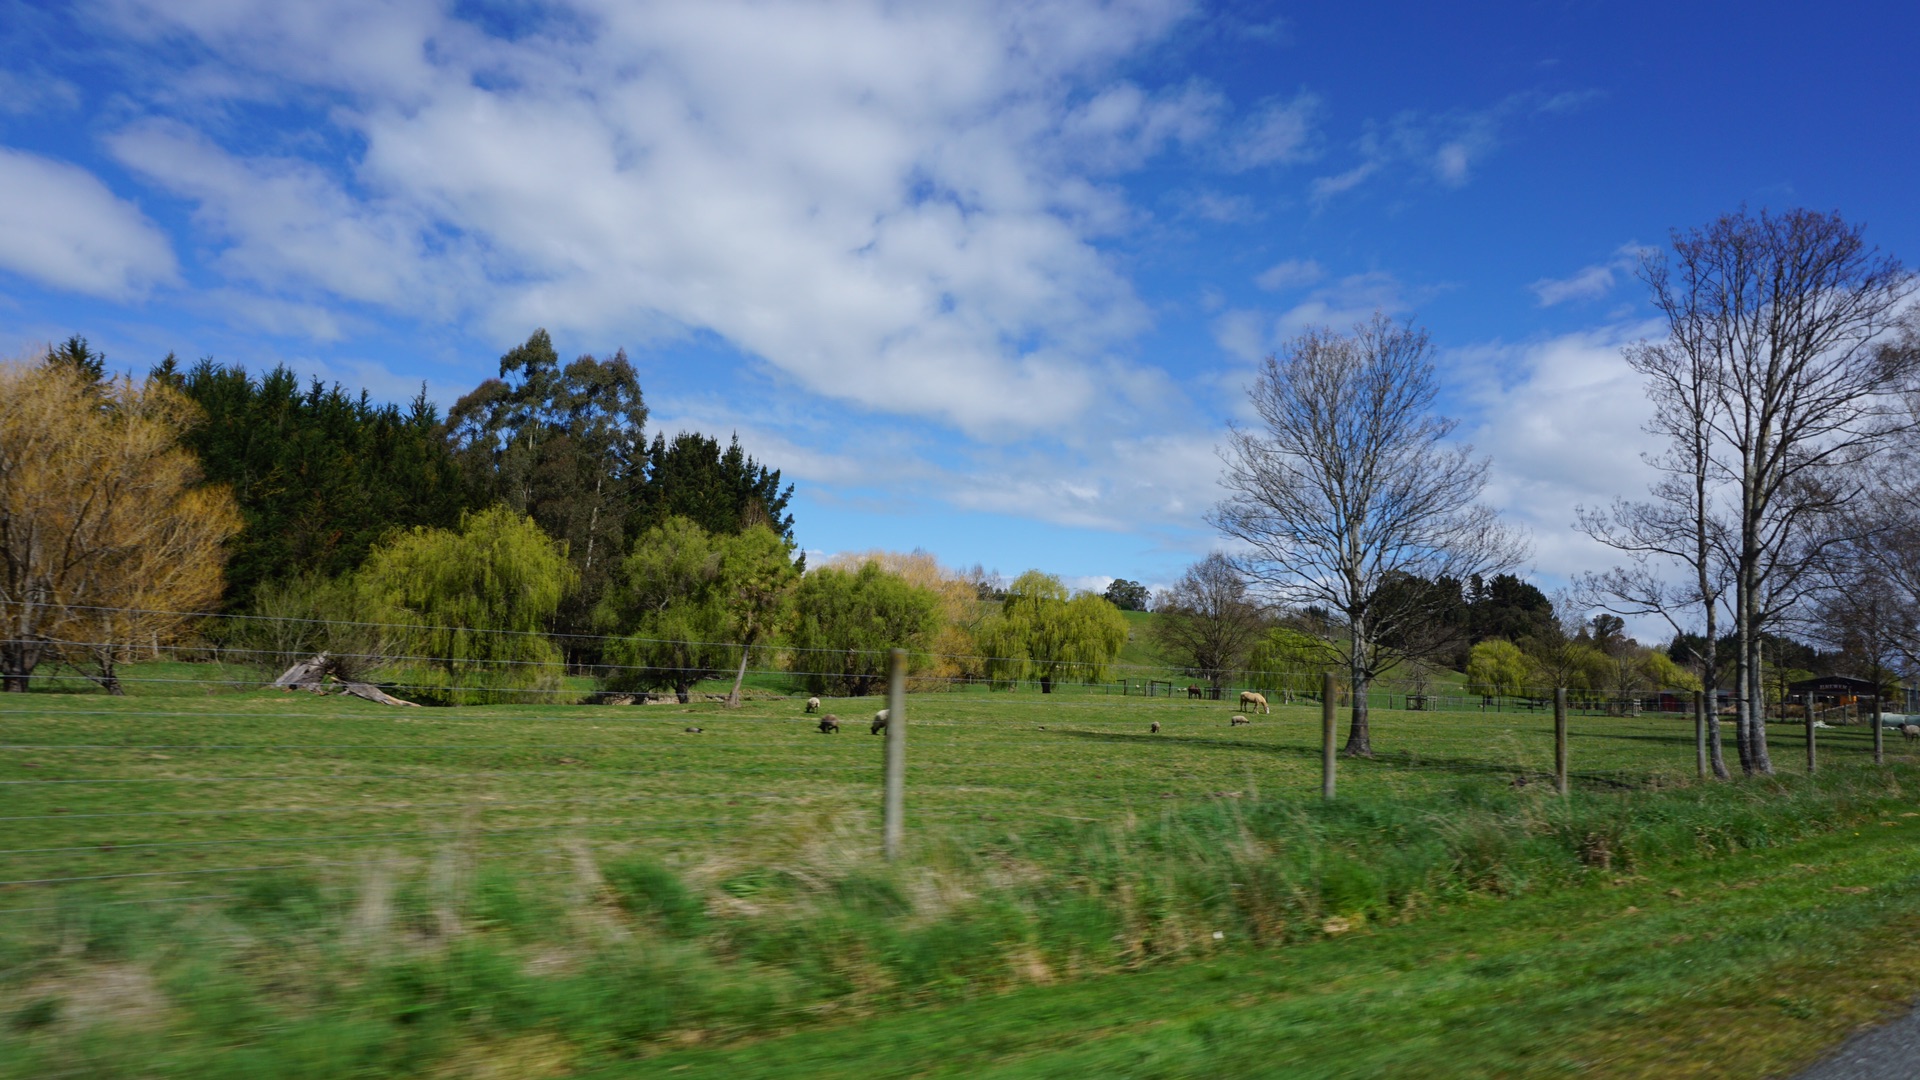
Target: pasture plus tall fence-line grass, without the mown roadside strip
x=295, y=856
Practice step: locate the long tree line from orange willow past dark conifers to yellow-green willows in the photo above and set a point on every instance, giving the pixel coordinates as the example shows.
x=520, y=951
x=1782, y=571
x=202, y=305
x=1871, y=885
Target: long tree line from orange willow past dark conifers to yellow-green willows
x=468, y=558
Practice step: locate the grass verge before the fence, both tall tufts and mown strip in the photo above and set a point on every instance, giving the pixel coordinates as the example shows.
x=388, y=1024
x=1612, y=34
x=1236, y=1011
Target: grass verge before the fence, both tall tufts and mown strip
x=1366, y=937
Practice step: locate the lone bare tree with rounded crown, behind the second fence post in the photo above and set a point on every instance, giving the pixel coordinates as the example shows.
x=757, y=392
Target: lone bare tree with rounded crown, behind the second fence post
x=1349, y=487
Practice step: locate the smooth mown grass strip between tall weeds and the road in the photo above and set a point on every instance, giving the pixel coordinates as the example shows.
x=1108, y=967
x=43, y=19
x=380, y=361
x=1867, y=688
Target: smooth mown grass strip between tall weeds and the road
x=1750, y=966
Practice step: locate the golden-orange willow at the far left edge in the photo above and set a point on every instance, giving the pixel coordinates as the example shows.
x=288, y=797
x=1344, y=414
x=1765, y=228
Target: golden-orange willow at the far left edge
x=107, y=533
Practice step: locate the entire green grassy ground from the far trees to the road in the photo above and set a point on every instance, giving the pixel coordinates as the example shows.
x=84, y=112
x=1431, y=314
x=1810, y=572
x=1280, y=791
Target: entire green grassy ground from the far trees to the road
x=212, y=883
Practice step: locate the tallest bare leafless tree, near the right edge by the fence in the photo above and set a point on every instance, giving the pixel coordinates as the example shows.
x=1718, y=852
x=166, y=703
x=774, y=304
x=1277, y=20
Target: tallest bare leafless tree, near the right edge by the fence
x=1775, y=380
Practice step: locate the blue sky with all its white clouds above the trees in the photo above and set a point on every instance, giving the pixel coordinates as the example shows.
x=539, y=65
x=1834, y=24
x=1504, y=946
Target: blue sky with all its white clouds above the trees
x=984, y=280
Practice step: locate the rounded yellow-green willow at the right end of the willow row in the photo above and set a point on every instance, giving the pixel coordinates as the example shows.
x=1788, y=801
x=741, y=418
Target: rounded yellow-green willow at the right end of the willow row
x=1045, y=633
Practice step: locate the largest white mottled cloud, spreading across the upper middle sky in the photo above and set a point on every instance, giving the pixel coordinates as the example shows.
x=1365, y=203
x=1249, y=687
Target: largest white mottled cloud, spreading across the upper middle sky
x=894, y=207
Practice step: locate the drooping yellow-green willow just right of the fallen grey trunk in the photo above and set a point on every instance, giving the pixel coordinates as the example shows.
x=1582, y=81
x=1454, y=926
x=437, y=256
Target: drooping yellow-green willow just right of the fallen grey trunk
x=473, y=606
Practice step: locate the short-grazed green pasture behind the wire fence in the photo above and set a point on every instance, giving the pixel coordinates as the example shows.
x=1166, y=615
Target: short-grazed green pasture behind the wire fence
x=101, y=787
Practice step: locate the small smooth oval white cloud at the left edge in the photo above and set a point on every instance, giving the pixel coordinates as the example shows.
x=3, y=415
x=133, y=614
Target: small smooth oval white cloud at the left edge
x=64, y=228
